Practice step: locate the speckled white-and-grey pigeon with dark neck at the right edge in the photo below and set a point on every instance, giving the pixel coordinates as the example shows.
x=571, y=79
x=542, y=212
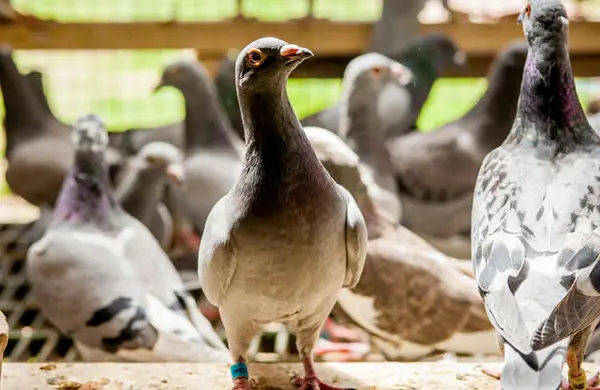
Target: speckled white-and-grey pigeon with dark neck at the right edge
x=536, y=242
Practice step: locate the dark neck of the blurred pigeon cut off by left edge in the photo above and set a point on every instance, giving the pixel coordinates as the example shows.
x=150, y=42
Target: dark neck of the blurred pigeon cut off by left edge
x=23, y=113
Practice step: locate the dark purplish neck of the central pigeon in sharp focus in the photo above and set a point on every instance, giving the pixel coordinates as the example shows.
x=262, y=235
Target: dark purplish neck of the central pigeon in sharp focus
x=278, y=154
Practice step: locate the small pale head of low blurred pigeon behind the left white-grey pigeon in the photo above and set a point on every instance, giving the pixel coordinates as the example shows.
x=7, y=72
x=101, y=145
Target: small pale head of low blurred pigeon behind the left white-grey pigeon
x=163, y=157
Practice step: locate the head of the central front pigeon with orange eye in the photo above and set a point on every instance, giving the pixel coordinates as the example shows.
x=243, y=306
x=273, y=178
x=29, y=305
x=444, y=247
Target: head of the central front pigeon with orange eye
x=268, y=60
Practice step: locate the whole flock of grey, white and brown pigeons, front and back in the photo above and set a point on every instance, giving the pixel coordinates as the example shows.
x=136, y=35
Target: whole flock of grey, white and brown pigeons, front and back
x=335, y=209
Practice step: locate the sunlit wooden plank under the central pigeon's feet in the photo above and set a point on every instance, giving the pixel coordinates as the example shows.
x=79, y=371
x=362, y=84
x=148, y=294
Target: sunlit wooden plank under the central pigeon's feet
x=362, y=376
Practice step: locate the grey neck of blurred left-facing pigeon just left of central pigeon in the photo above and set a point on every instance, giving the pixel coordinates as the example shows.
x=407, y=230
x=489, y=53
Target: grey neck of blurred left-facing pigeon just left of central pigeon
x=205, y=123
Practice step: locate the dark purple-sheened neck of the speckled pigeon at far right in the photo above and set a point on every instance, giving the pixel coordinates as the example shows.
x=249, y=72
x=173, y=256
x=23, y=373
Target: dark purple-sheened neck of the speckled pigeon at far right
x=549, y=109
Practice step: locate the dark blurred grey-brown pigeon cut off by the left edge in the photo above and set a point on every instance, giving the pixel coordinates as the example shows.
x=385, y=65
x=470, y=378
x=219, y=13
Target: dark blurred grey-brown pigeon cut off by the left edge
x=38, y=149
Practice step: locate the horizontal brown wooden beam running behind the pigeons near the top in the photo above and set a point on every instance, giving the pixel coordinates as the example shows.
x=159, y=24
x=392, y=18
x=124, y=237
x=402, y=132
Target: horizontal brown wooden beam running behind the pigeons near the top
x=324, y=37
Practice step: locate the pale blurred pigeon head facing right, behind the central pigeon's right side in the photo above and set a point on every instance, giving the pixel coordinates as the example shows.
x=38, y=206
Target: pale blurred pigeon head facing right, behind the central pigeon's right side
x=375, y=71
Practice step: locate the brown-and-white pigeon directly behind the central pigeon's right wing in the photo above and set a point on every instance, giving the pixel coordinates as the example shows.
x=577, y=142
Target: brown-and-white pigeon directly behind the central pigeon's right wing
x=412, y=299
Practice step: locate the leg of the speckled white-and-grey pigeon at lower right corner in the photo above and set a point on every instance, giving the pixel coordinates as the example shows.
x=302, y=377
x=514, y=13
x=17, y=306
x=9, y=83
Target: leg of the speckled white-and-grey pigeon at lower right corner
x=576, y=376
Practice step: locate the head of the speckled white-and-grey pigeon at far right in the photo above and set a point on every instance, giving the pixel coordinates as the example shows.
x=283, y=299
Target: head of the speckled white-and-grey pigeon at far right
x=546, y=19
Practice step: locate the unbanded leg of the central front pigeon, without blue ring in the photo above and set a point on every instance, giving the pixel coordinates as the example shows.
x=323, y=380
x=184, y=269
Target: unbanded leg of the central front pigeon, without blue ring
x=306, y=340
